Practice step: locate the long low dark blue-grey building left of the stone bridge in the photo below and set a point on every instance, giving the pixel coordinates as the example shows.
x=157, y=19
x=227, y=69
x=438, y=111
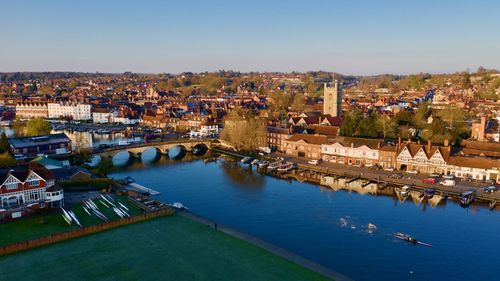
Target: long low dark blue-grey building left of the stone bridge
x=46, y=144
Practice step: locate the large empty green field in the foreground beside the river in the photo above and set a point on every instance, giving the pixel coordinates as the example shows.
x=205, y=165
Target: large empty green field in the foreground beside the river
x=167, y=248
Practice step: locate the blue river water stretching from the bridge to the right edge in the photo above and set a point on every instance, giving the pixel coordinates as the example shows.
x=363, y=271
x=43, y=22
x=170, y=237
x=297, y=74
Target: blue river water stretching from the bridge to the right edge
x=304, y=218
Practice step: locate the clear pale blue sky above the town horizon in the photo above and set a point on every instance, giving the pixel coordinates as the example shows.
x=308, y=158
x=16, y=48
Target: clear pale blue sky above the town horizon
x=350, y=37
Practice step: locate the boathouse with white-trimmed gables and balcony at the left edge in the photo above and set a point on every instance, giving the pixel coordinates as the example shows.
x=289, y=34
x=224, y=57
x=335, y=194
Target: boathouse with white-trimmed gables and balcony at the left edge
x=28, y=187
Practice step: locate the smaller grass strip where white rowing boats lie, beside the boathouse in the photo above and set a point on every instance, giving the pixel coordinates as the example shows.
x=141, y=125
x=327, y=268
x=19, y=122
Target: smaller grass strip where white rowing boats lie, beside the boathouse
x=52, y=222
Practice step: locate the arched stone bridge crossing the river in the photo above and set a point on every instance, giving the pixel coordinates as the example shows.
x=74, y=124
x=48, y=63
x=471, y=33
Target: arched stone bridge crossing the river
x=162, y=148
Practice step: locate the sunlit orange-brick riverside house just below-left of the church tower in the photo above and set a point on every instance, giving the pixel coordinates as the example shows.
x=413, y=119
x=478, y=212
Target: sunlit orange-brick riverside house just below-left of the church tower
x=302, y=145
